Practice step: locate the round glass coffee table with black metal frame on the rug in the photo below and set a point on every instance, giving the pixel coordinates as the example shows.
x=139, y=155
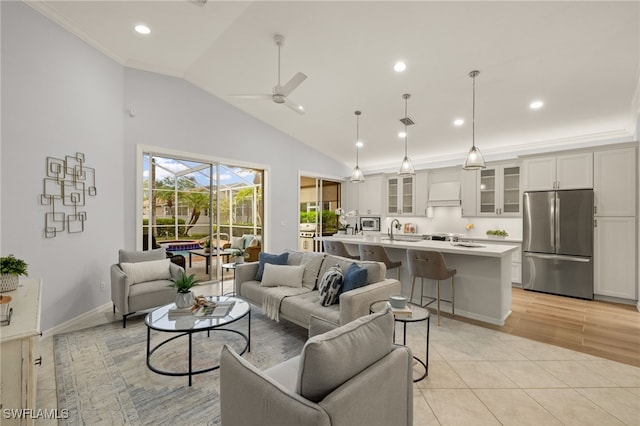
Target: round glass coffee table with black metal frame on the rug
x=187, y=325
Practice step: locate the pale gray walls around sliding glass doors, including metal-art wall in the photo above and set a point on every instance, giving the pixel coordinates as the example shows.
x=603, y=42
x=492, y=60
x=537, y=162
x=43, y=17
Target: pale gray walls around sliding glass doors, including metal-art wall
x=59, y=97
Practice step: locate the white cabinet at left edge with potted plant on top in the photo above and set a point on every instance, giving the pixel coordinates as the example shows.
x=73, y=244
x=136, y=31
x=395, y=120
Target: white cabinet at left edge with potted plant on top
x=18, y=347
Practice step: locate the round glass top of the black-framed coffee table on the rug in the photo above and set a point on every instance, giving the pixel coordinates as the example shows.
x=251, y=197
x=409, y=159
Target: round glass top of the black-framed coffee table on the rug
x=163, y=320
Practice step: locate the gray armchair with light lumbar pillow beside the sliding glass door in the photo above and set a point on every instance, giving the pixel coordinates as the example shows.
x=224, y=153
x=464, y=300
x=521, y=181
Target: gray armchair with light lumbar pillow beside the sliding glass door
x=146, y=286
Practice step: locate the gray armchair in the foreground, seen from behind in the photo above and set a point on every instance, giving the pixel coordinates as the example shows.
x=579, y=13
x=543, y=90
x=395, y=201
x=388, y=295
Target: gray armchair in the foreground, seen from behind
x=352, y=375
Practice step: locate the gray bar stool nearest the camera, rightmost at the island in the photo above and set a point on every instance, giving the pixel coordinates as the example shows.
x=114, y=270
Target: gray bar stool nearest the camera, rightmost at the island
x=431, y=265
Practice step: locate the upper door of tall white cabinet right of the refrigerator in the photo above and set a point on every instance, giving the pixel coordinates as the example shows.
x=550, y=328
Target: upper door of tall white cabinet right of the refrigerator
x=614, y=182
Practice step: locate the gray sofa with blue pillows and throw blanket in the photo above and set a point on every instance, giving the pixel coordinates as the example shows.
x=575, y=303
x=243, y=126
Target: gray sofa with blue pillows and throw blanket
x=299, y=308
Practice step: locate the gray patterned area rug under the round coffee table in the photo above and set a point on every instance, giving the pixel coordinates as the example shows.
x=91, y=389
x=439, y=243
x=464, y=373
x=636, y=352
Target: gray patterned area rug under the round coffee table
x=102, y=376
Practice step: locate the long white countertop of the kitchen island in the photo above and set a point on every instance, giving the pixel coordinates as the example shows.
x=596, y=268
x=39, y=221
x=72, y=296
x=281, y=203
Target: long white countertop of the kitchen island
x=486, y=249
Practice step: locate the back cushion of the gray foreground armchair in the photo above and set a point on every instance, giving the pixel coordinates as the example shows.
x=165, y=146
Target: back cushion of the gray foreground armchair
x=330, y=359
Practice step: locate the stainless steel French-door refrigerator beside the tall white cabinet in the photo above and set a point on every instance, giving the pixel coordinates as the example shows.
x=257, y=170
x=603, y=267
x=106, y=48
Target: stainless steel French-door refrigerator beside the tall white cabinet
x=557, y=243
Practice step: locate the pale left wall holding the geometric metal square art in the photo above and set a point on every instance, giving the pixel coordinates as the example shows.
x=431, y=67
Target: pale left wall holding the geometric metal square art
x=59, y=97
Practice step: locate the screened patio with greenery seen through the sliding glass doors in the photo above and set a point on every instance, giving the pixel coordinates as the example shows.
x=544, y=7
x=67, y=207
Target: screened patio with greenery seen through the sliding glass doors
x=198, y=209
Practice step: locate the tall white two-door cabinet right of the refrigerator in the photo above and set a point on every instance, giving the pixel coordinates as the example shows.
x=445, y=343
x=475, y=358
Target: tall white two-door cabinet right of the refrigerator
x=615, y=192
